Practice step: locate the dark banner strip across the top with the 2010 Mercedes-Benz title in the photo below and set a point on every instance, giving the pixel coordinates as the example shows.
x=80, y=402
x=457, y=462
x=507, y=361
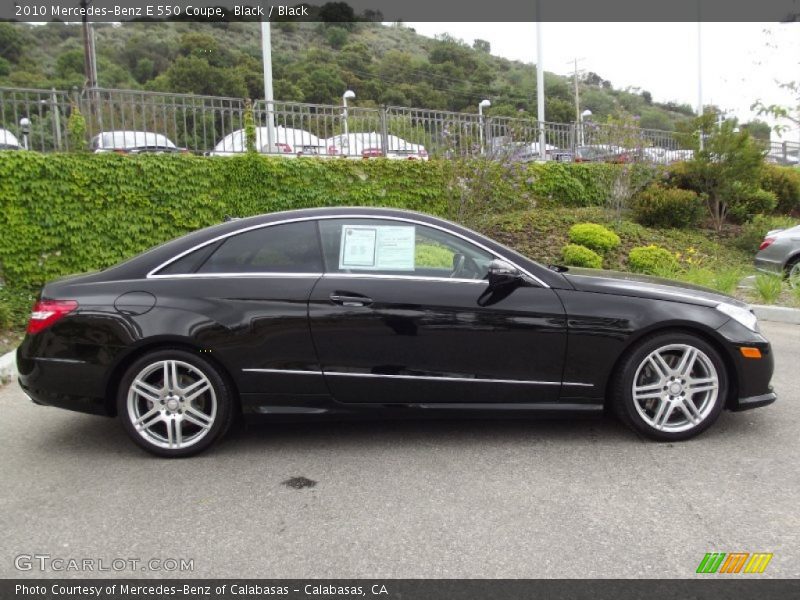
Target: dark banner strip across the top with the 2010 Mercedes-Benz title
x=403, y=10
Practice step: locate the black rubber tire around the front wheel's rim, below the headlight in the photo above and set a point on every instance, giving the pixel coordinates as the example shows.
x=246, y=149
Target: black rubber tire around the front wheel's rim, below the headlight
x=628, y=373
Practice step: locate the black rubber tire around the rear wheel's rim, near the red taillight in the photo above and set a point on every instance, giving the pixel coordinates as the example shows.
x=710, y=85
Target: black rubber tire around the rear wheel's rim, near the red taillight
x=221, y=389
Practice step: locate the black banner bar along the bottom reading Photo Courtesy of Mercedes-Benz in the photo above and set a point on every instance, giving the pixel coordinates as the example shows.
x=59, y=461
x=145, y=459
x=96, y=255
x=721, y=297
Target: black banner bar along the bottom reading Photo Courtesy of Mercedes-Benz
x=715, y=587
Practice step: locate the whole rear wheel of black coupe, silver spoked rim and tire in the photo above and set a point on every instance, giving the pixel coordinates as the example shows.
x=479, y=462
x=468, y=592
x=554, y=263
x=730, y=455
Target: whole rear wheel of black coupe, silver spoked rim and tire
x=217, y=404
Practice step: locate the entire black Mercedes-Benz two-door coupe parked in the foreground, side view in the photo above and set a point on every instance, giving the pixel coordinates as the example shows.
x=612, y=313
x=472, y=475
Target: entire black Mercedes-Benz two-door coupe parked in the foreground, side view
x=385, y=312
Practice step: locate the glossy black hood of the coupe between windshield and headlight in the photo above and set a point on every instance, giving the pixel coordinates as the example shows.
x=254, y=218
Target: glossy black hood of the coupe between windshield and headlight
x=644, y=286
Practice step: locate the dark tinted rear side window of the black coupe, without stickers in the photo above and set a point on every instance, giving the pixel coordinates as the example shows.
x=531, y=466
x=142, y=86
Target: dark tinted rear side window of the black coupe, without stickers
x=288, y=248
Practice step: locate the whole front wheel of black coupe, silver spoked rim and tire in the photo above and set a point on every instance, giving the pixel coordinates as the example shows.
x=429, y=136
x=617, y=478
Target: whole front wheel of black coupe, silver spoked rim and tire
x=671, y=386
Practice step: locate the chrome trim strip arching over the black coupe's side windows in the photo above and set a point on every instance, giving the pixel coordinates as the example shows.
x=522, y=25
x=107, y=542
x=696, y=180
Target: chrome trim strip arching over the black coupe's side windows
x=153, y=273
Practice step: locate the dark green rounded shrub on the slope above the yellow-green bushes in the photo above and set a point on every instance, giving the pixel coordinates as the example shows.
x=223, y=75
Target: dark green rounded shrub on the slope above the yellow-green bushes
x=657, y=206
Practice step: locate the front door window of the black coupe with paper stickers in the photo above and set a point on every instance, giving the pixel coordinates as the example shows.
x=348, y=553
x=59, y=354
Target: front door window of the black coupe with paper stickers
x=390, y=247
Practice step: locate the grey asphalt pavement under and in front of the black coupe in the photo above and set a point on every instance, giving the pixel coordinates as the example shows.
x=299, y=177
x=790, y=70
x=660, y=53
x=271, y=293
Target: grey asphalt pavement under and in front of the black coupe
x=514, y=498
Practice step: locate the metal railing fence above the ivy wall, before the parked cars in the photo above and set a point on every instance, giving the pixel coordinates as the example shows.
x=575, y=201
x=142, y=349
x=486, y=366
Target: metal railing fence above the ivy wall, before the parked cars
x=38, y=120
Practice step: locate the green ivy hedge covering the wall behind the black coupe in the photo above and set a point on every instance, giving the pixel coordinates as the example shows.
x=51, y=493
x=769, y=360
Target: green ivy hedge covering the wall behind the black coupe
x=68, y=213
